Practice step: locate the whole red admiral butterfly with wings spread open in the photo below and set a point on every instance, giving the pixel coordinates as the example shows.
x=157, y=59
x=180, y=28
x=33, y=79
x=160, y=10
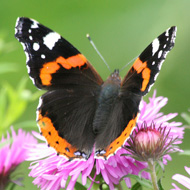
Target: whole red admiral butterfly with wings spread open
x=80, y=111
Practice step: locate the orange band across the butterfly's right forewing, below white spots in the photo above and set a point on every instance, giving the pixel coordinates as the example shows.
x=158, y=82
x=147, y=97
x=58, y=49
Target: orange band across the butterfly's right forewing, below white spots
x=139, y=67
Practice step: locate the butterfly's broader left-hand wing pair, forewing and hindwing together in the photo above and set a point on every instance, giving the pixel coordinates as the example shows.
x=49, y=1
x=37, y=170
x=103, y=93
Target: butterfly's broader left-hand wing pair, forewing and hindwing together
x=66, y=110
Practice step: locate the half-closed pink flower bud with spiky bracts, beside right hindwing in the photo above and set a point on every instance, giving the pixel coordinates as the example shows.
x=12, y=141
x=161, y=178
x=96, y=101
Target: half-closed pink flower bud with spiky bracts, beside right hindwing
x=151, y=143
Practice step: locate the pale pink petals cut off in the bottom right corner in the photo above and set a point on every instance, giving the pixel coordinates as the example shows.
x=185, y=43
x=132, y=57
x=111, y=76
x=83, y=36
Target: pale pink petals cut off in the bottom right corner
x=185, y=181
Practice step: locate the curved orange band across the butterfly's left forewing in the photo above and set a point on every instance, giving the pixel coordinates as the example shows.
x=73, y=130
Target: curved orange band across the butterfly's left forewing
x=51, y=67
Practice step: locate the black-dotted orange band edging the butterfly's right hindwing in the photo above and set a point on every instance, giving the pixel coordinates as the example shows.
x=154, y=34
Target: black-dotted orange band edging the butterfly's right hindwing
x=117, y=143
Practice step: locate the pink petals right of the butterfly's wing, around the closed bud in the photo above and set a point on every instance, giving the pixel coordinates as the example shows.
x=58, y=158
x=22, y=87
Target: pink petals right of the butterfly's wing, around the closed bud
x=151, y=113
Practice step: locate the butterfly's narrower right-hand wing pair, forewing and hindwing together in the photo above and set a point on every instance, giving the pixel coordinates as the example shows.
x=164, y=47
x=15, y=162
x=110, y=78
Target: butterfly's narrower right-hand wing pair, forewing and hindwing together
x=136, y=84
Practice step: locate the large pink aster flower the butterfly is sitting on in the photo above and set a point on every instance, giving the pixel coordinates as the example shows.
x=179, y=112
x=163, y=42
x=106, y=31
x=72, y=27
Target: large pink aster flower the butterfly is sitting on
x=50, y=170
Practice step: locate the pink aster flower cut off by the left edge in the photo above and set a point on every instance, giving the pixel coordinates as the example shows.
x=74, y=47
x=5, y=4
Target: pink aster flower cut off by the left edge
x=12, y=153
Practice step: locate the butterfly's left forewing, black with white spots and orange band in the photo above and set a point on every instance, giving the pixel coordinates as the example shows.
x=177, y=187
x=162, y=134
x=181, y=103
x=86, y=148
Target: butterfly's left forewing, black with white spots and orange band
x=52, y=61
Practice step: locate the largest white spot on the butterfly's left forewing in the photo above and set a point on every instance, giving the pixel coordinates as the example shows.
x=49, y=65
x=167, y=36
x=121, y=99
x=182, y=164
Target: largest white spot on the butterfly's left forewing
x=50, y=39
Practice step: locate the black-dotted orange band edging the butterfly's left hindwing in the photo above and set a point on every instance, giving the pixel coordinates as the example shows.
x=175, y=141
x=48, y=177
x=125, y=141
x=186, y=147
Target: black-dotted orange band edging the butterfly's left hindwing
x=54, y=140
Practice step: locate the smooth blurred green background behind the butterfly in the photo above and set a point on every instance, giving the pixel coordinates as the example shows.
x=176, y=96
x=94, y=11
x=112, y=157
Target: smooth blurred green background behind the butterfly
x=121, y=30
